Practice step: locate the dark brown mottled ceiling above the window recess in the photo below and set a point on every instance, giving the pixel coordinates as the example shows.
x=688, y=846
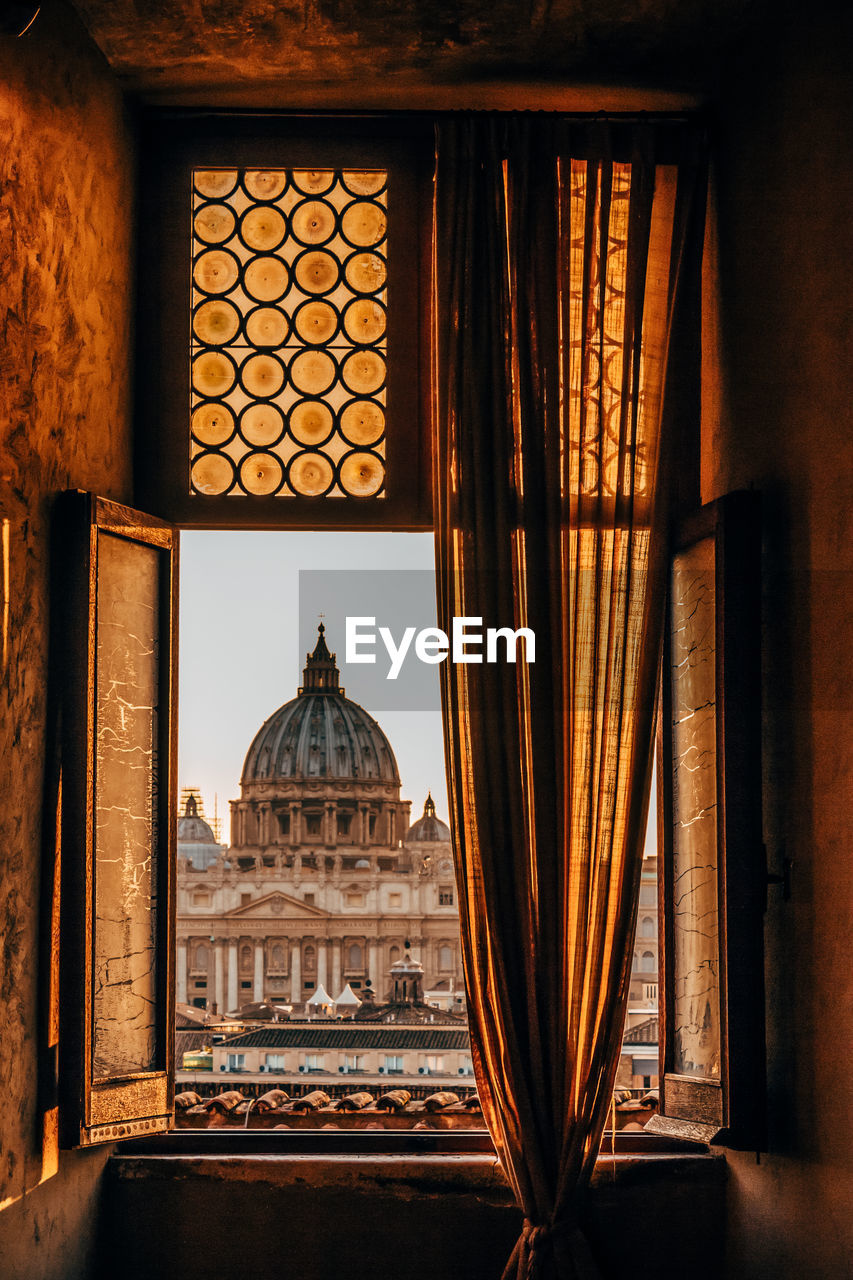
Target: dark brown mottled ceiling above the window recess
x=366, y=52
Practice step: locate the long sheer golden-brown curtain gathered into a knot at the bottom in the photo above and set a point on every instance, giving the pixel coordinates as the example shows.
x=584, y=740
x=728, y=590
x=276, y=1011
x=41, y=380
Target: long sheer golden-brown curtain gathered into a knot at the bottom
x=567, y=263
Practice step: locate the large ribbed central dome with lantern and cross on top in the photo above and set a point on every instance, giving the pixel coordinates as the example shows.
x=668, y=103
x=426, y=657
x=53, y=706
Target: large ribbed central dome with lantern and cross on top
x=321, y=734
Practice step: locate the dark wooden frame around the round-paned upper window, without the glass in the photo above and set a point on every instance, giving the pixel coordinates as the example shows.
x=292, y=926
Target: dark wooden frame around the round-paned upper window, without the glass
x=172, y=145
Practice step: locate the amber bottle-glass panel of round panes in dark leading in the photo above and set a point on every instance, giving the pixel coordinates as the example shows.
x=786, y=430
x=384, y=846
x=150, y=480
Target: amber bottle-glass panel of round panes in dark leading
x=289, y=333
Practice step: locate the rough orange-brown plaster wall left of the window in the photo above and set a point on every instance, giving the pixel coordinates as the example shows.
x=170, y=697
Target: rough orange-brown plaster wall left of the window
x=66, y=294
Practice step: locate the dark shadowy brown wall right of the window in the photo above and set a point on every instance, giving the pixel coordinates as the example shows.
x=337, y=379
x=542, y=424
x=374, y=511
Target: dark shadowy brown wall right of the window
x=786, y=426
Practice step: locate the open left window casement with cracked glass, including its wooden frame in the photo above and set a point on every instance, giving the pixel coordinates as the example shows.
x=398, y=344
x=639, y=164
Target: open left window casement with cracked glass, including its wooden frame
x=117, y=848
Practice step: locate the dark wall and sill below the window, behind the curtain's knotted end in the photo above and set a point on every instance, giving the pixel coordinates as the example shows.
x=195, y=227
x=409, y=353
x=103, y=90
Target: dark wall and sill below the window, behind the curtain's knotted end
x=208, y=1197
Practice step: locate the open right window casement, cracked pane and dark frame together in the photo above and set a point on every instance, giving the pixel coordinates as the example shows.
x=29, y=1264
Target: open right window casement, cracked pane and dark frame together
x=713, y=860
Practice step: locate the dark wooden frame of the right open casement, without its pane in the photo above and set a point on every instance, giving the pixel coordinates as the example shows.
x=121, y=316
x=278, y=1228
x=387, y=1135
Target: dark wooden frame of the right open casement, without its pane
x=733, y=1110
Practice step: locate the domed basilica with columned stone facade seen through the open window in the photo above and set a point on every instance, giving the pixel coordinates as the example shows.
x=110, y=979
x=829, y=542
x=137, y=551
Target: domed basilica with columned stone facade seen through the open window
x=327, y=883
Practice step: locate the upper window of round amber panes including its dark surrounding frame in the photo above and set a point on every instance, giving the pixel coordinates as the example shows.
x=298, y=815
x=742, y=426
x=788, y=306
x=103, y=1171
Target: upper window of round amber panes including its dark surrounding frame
x=304, y=382
